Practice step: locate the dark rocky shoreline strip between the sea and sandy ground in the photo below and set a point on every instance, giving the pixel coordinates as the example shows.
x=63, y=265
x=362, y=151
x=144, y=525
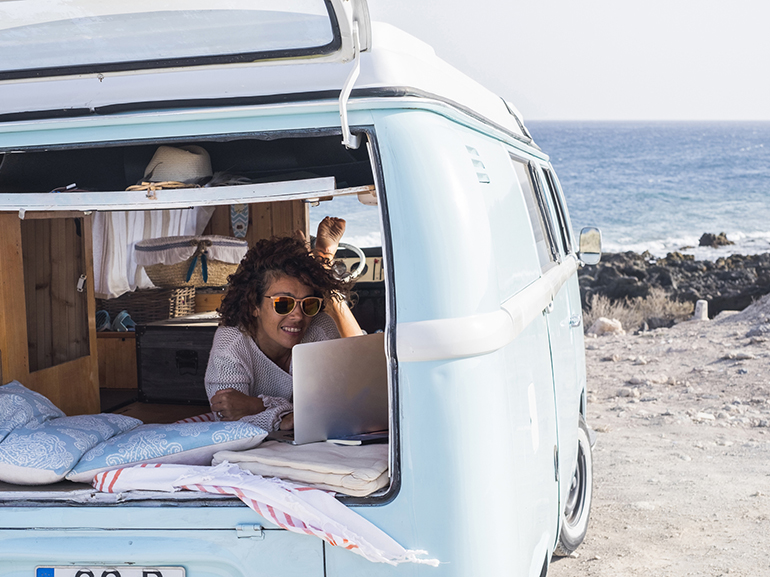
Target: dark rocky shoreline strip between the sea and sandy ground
x=730, y=283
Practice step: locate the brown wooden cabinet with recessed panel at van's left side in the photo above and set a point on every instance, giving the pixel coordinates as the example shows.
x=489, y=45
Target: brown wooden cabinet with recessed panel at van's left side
x=47, y=325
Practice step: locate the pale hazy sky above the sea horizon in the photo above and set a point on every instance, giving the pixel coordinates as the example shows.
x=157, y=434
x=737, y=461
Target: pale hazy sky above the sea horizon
x=604, y=59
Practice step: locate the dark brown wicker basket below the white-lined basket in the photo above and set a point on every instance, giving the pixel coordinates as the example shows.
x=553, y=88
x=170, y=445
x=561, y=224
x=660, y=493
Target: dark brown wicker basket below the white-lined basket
x=149, y=305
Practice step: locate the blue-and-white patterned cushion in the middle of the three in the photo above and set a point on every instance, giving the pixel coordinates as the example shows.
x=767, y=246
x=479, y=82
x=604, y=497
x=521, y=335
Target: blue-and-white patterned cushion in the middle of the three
x=43, y=452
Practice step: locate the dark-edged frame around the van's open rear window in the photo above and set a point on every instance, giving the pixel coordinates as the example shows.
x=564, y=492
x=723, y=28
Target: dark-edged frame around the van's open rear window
x=394, y=487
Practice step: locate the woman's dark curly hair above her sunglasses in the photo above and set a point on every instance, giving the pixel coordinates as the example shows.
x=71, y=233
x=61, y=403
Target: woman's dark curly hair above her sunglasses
x=266, y=260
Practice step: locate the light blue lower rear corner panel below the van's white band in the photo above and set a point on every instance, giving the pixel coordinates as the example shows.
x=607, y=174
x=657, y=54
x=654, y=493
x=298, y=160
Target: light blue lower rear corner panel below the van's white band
x=451, y=500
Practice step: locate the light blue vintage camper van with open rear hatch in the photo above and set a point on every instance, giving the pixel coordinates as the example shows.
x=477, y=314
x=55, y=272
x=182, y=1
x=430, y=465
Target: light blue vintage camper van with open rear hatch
x=470, y=273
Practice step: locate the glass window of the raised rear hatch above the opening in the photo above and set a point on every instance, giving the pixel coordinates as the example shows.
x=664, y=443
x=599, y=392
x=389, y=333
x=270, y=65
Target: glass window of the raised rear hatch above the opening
x=55, y=38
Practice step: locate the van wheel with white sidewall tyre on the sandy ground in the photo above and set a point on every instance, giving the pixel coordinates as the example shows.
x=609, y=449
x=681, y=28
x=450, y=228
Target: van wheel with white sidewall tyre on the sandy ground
x=574, y=521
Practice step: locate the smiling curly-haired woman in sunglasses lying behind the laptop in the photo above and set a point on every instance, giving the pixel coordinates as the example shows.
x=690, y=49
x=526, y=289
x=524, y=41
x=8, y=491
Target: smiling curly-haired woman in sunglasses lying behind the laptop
x=273, y=303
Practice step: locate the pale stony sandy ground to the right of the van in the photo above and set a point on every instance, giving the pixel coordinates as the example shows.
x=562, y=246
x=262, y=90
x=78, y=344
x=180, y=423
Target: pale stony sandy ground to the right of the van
x=682, y=459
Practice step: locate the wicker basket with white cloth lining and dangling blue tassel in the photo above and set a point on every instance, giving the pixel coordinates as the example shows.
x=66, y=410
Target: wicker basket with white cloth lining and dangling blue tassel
x=202, y=253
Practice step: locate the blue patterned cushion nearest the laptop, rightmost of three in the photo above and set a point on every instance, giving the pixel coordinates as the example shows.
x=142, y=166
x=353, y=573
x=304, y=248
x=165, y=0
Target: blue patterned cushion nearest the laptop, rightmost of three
x=180, y=443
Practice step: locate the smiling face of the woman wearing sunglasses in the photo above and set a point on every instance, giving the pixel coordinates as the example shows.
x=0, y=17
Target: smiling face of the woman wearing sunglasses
x=275, y=333
